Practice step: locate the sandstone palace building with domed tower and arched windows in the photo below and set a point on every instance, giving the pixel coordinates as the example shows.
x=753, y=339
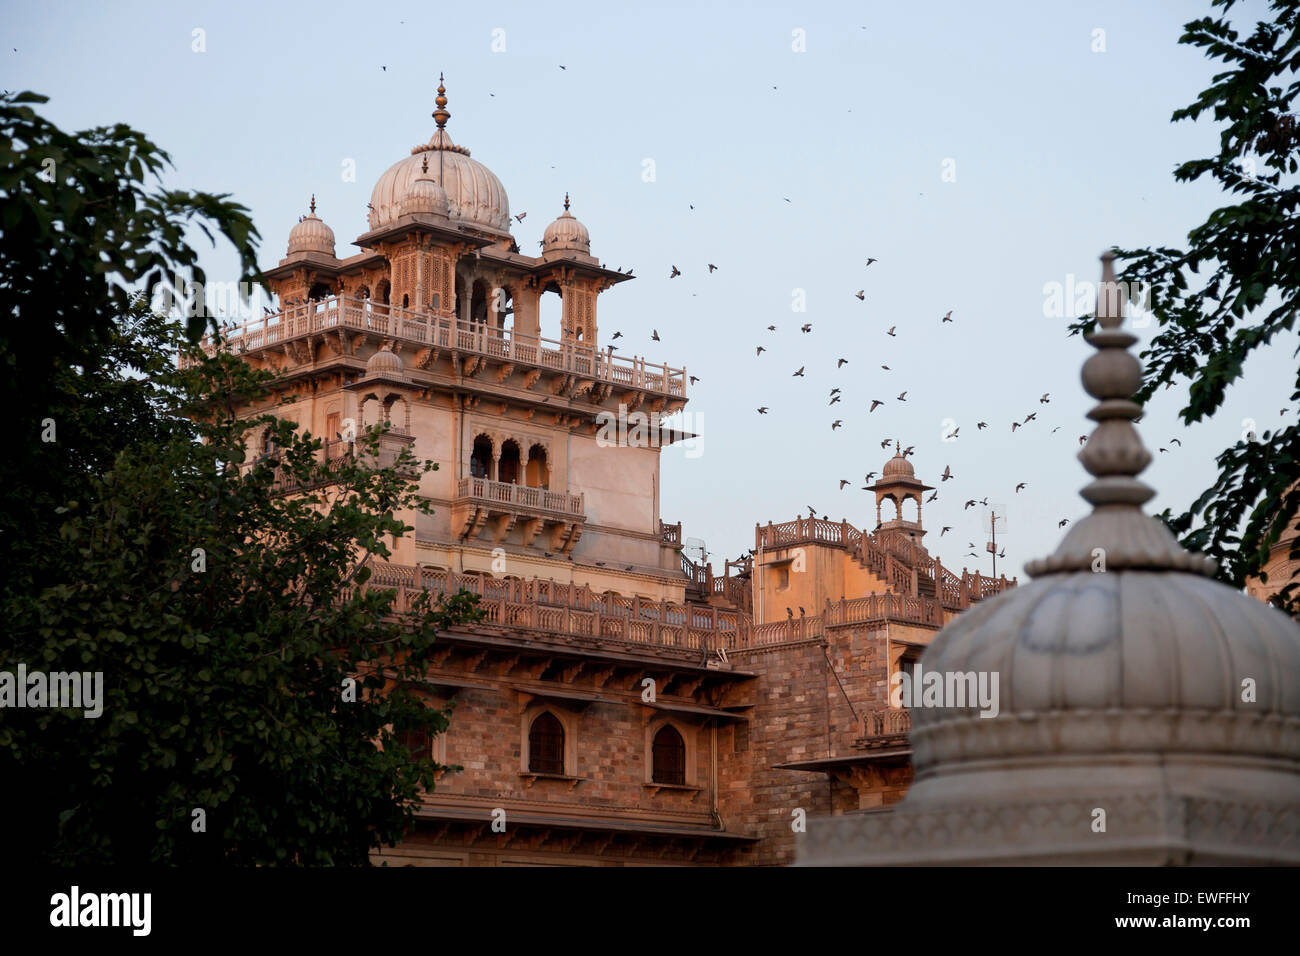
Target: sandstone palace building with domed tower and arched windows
x=622, y=704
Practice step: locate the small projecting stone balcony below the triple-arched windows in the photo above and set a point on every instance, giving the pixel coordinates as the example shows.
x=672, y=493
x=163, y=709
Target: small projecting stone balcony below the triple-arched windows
x=499, y=507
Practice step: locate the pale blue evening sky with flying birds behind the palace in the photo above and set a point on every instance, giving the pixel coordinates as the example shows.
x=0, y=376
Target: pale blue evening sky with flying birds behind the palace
x=980, y=153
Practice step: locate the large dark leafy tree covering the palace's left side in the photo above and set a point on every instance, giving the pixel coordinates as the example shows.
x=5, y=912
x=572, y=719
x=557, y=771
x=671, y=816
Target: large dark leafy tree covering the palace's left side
x=257, y=682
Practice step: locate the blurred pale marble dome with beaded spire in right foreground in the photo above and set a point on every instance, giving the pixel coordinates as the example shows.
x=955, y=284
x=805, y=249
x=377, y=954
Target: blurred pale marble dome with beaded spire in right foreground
x=1141, y=712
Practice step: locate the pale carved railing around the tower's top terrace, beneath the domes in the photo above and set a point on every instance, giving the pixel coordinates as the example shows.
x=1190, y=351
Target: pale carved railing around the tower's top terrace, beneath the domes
x=306, y=319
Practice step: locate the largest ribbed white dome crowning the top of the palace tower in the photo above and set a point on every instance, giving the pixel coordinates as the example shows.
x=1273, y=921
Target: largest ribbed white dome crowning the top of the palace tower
x=474, y=194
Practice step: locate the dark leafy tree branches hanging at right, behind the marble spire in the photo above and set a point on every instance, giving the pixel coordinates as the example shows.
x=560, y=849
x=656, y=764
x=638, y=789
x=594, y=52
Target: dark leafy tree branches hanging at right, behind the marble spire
x=1234, y=288
